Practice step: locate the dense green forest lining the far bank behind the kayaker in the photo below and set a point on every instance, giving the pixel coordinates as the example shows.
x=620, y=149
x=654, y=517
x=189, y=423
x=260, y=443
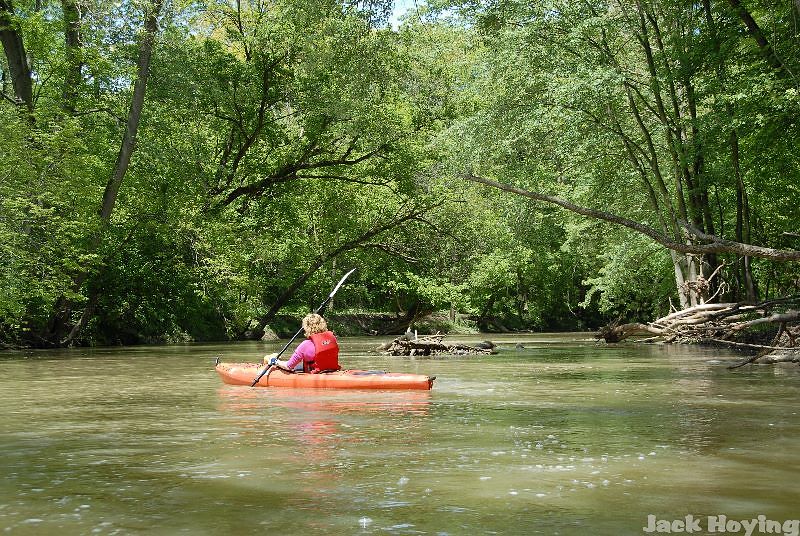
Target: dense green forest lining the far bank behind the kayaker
x=176, y=170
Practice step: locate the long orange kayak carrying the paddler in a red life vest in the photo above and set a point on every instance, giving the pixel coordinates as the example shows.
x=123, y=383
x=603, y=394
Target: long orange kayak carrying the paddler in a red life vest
x=245, y=373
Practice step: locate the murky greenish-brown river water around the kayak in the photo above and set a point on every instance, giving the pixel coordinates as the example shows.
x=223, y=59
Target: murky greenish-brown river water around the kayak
x=564, y=436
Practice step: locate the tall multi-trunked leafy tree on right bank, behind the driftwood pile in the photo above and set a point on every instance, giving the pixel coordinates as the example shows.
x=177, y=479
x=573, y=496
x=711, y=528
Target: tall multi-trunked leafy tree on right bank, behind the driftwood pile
x=615, y=109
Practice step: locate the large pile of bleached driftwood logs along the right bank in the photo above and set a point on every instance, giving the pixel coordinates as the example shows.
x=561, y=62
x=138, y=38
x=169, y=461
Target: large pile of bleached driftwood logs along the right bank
x=732, y=324
